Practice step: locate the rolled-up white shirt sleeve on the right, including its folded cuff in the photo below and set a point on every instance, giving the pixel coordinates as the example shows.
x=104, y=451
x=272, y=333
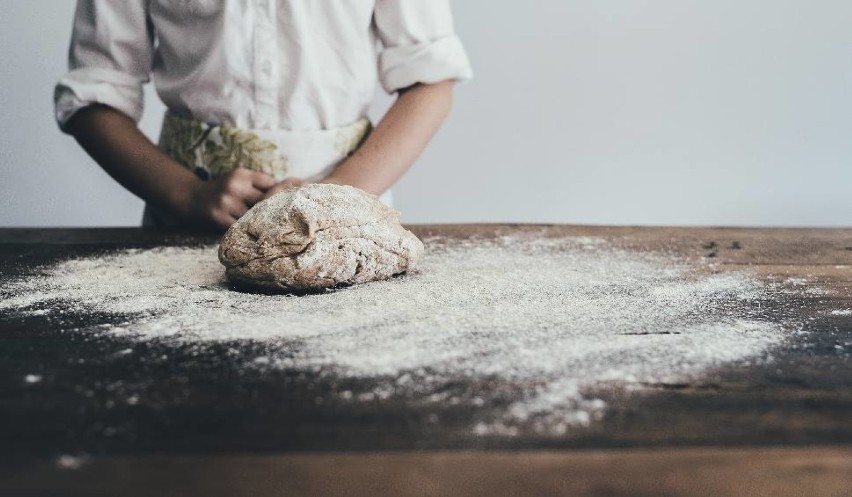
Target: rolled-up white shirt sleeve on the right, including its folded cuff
x=419, y=43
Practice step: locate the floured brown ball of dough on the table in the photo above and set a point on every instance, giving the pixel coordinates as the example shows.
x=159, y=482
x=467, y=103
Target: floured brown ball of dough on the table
x=317, y=236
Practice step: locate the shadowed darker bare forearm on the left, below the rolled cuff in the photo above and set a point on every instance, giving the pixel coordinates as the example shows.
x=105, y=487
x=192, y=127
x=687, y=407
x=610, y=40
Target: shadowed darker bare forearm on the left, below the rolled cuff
x=125, y=153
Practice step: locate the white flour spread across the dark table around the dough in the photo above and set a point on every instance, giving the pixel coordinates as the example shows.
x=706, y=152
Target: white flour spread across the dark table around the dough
x=556, y=318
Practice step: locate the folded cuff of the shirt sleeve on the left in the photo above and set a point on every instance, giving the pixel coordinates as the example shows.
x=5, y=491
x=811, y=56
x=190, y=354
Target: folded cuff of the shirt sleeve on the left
x=84, y=87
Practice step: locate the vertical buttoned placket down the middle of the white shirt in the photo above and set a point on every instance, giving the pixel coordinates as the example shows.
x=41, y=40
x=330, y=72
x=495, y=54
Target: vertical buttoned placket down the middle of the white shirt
x=265, y=64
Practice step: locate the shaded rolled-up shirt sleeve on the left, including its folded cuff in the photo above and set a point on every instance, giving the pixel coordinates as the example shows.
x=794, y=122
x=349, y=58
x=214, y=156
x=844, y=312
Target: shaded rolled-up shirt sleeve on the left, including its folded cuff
x=109, y=59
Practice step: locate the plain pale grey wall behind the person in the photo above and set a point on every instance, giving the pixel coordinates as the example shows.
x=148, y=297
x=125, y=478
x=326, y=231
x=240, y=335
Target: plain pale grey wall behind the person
x=690, y=112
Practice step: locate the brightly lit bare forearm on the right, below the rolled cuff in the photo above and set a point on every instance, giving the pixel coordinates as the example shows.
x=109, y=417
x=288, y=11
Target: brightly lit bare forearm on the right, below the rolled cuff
x=398, y=139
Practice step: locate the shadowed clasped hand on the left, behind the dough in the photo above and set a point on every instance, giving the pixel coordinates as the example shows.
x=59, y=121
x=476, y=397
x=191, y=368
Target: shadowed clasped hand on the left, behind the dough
x=222, y=201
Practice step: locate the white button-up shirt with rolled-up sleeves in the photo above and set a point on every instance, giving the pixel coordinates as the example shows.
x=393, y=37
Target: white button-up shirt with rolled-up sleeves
x=262, y=64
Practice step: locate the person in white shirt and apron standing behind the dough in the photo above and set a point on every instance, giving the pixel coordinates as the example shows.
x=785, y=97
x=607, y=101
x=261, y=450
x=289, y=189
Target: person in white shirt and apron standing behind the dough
x=261, y=95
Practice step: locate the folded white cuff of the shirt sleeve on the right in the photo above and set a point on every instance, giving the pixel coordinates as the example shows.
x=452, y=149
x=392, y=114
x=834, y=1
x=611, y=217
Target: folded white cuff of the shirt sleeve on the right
x=429, y=62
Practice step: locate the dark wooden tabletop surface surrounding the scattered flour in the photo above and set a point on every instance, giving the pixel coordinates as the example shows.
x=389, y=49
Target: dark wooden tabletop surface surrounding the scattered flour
x=783, y=428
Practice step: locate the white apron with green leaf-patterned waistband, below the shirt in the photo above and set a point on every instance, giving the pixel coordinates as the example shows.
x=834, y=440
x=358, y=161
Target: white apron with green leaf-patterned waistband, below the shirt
x=211, y=151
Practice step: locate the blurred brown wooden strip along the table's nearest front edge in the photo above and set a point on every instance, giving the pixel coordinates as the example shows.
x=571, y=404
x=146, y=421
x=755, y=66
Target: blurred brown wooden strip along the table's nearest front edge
x=689, y=472
